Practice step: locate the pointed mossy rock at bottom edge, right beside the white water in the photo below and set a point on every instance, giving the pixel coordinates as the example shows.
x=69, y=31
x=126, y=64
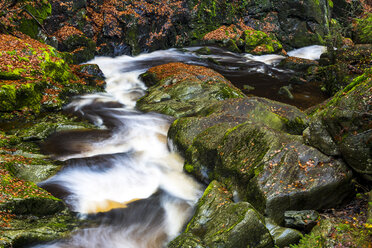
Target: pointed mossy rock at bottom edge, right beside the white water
x=218, y=222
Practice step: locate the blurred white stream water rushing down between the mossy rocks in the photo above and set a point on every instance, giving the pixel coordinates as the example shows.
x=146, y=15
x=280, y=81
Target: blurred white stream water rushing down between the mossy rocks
x=125, y=175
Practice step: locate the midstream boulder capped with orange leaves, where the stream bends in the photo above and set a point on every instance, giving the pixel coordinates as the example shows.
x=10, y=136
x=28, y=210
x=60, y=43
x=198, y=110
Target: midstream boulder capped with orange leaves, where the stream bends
x=182, y=90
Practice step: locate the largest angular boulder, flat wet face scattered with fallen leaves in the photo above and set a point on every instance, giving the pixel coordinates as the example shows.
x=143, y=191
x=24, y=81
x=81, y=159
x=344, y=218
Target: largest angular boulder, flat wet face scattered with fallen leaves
x=273, y=170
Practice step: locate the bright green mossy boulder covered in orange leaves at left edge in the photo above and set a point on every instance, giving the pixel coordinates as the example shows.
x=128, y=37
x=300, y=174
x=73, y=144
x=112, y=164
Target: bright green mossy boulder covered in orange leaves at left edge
x=35, y=77
